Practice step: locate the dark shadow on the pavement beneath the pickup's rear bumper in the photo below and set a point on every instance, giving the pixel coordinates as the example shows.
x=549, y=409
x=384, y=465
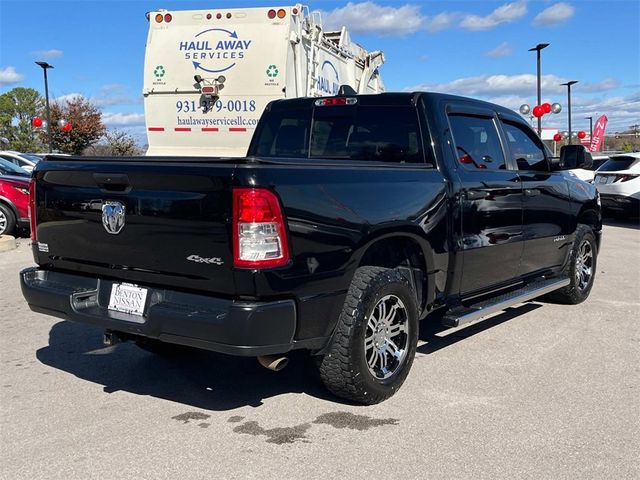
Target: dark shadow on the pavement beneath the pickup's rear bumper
x=197, y=378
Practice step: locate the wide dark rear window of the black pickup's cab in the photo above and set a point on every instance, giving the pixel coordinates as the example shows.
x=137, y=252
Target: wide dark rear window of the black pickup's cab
x=351, y=132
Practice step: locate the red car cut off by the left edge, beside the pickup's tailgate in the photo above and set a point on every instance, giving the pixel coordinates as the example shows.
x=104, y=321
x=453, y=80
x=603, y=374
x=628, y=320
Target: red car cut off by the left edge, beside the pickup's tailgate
x=14, y=203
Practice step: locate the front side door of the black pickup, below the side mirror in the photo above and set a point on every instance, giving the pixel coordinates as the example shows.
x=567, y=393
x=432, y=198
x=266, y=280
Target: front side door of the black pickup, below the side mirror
x=546, y=213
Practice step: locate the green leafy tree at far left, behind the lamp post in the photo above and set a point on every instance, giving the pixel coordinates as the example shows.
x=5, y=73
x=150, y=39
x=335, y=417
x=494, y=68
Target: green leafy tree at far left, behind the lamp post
x=17, y=108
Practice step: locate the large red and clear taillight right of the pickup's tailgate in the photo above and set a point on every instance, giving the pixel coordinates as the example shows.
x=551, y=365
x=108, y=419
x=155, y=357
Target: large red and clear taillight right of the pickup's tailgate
x=259, y=234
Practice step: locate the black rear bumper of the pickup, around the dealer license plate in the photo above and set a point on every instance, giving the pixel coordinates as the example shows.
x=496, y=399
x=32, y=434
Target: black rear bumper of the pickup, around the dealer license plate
x=227, y=326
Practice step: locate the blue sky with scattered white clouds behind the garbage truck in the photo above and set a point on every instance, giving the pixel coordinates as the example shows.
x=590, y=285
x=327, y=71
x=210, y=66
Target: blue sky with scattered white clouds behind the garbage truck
x=473, y=48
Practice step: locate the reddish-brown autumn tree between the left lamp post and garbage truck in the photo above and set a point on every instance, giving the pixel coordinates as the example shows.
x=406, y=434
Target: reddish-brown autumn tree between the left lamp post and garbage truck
x=86, y=125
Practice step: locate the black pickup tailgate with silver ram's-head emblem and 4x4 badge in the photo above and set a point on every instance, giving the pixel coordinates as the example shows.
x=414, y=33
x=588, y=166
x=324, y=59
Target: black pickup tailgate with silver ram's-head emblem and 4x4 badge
x=145, y=220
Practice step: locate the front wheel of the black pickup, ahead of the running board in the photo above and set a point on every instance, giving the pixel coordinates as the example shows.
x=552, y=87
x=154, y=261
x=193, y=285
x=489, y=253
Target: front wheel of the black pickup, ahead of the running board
x=581, y=268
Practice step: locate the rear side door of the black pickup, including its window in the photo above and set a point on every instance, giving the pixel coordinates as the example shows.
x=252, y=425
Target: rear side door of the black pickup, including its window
x=490, y=197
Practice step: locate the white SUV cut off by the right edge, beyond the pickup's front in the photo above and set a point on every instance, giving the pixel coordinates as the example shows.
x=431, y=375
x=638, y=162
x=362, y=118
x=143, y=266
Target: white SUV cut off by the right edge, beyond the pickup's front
x=618, y=181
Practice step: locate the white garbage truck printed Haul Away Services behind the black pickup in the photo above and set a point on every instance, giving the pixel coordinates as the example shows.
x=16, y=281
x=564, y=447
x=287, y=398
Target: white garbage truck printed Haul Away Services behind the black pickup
x=208, y=74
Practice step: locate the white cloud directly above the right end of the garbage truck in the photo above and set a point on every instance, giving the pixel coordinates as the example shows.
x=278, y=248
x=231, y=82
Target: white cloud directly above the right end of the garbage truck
x=369, y=17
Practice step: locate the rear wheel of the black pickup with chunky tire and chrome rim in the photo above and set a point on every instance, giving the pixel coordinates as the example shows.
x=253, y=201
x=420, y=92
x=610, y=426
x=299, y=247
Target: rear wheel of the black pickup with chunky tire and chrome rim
x=375, y=340
